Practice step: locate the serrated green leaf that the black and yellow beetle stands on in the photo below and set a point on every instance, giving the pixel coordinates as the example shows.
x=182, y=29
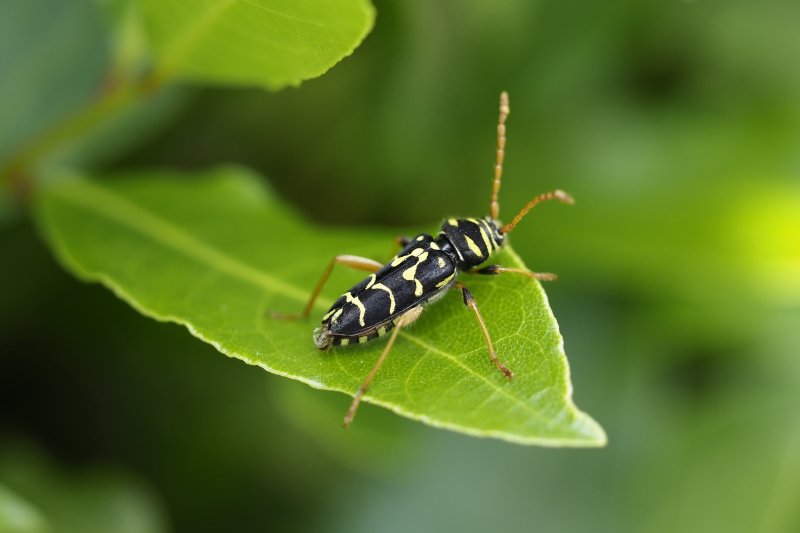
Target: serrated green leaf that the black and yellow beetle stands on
x=217, y=253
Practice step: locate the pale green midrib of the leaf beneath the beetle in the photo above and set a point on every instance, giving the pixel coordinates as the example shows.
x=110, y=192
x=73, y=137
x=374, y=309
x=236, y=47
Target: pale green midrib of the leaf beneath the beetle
x=103, y=202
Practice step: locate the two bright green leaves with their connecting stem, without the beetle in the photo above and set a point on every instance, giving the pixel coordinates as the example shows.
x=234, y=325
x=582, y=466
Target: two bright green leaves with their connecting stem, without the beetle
x=216, y=253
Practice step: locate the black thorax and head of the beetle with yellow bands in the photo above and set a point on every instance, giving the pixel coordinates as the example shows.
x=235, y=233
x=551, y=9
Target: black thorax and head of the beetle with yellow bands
x=473, y=239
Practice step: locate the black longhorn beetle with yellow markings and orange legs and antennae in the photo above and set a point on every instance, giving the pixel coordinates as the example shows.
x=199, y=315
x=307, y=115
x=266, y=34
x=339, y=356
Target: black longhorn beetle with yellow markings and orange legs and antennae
x=393, y=295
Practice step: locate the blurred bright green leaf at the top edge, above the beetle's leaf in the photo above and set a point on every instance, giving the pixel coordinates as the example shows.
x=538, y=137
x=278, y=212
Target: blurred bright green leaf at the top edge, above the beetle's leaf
x=271, y=43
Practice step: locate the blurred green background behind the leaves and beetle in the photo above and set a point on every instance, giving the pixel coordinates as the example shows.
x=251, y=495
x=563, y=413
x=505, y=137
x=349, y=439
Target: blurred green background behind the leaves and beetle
x=675, y=125
